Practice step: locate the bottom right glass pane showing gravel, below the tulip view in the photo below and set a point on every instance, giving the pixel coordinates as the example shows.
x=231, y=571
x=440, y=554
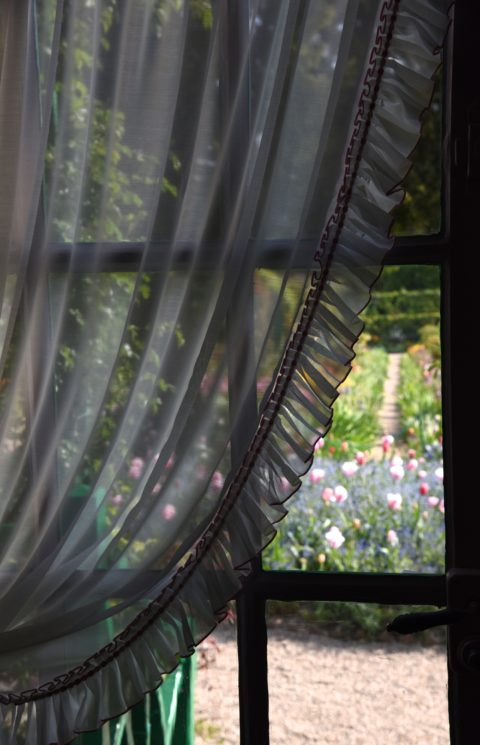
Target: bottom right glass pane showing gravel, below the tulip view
x=333, y=680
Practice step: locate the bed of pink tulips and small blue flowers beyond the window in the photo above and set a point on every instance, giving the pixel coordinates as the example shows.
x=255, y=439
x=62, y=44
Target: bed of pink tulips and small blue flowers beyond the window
x=365, y=514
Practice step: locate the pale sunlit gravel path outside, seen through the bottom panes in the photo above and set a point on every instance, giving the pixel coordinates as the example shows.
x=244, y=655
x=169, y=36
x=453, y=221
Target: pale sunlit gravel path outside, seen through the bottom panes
x=328, y=691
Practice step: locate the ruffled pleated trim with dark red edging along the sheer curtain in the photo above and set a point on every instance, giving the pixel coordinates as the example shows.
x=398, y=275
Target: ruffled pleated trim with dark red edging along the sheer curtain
x=397, y=89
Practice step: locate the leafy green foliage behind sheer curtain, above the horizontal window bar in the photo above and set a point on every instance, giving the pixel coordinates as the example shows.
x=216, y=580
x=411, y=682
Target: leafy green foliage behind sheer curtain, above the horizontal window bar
x=115, y=177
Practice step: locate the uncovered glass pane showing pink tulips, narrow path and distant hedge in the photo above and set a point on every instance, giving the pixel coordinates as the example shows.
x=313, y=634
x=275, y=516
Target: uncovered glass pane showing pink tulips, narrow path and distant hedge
x=373, y=500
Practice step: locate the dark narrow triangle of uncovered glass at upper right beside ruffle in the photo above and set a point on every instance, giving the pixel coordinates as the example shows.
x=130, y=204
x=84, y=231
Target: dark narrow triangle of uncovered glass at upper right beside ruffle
x=420, y=213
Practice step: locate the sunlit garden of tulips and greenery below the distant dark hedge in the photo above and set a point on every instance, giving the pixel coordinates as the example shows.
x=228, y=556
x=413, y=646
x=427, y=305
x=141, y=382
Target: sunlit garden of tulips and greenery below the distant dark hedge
x=372, y=502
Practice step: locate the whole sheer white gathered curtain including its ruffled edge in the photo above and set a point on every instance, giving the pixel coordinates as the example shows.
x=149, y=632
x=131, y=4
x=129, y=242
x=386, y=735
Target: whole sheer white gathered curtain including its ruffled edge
x=195, y=202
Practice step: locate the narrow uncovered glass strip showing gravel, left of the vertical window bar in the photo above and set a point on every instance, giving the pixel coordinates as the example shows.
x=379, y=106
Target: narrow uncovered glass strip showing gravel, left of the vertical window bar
x=216, y=689
